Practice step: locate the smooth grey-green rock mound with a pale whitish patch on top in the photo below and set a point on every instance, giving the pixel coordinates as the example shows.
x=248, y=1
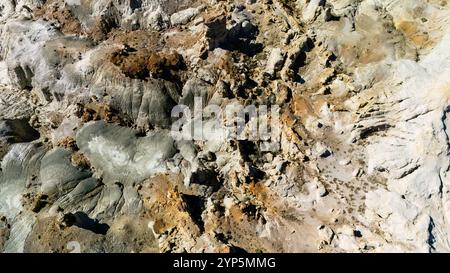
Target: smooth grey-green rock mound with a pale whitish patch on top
x=118, y=155
